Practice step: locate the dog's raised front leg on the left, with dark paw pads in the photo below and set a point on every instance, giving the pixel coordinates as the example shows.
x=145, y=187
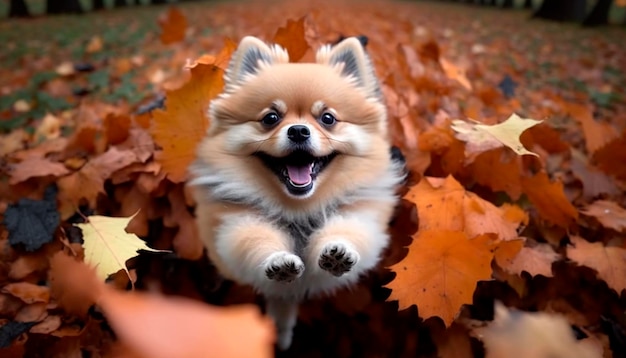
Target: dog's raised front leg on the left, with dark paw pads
x=253, y=250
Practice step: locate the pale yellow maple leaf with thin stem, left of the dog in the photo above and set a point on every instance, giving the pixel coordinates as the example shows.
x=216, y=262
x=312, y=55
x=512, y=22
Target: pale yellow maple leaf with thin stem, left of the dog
x=108, y=246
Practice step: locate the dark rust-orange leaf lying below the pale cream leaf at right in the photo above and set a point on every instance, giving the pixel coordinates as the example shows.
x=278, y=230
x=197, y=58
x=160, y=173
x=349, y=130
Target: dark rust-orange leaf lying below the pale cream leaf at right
x=549, y=199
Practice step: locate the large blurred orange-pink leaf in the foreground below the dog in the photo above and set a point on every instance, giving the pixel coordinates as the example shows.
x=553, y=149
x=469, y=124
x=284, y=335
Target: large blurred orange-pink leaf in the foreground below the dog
x=141, y=321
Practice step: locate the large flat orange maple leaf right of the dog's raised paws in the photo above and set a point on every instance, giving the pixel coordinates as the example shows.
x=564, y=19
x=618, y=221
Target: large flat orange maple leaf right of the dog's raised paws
x=441, y=271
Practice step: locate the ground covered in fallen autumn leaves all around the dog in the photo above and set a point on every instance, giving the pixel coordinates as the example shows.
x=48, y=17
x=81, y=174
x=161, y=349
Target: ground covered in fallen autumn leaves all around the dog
x=99, y=115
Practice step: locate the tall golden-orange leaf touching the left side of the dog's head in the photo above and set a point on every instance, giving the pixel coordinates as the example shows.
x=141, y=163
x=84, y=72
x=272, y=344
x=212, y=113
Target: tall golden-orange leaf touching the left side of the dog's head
x=180, y=127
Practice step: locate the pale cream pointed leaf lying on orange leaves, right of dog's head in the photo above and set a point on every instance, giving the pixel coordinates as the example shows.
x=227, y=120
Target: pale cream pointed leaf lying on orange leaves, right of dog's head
x=481, y=137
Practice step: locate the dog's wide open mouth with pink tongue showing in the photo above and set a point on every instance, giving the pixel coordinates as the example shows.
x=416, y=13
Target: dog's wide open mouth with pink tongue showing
x=298, y=170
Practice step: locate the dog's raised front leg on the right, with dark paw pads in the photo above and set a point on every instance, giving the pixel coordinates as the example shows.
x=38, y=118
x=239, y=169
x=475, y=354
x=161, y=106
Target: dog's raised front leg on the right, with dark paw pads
x=349, y=242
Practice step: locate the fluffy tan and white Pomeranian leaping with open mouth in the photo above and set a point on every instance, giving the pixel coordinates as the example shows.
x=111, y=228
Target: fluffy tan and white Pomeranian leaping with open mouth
x=294, y=182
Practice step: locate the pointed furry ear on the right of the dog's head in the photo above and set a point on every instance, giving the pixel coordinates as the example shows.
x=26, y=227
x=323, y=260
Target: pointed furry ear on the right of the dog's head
x=350, y=59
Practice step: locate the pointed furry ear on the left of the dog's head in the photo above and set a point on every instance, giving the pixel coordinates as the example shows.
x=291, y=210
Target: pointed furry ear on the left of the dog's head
x=251, y=56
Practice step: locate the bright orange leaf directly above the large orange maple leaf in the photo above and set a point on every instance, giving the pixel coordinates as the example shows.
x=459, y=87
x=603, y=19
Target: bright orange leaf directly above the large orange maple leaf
x=443, y=204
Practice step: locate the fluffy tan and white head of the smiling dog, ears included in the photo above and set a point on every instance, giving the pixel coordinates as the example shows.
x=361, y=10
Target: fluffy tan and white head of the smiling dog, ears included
x=298, y=131
